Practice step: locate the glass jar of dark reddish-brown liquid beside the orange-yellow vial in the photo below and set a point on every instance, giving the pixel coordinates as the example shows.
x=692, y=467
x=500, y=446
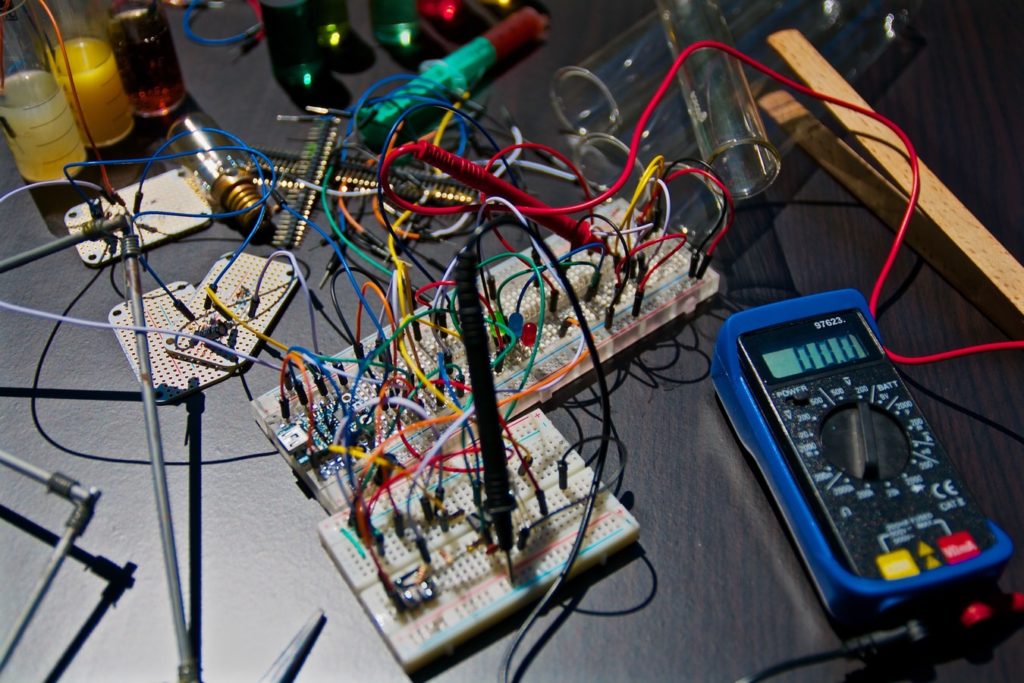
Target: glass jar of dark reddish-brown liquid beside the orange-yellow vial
x=145, y=52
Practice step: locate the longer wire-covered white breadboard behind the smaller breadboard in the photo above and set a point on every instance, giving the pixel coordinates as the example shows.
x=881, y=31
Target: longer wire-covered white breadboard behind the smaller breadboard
x=669, y=294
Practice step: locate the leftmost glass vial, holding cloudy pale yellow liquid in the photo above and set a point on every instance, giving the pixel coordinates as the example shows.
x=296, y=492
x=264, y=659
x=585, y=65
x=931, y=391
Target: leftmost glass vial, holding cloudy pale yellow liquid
x=34, y=114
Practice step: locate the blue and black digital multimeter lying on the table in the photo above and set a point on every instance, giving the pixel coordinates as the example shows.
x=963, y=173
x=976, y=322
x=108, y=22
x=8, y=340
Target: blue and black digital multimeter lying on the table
x=878, y=511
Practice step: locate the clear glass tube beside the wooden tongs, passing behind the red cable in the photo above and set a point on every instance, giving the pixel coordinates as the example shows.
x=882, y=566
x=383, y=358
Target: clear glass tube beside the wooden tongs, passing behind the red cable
x=726, y=118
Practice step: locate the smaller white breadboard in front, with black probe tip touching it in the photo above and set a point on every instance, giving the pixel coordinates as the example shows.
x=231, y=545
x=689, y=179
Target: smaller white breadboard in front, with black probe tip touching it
x=464, y=590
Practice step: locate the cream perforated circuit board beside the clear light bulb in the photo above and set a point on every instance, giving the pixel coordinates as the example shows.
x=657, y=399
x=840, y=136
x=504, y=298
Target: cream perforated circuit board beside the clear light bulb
x=175, y=192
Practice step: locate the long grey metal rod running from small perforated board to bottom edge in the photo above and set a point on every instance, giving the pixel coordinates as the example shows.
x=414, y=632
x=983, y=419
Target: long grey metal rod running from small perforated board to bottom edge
x=187, y=662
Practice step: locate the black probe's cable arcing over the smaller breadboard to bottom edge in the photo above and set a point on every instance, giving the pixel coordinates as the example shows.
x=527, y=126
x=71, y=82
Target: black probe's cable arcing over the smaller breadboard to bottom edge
x=600, y=458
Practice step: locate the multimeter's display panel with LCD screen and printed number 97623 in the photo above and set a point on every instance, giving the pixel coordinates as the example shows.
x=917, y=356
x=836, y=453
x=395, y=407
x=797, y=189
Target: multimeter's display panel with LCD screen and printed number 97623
x=809, y=347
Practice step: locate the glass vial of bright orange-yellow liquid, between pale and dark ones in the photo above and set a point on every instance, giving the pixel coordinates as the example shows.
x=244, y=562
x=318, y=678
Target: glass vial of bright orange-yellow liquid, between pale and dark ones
x=107, y=108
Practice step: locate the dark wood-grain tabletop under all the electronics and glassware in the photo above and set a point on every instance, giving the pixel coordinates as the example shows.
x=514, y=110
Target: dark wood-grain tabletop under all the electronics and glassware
x=714, y=589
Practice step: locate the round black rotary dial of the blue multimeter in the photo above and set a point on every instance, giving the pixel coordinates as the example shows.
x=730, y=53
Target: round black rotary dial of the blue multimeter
x=865, y=441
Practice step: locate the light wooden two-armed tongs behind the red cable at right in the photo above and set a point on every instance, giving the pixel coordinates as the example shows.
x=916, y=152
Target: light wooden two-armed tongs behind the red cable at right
x=944, y=231
